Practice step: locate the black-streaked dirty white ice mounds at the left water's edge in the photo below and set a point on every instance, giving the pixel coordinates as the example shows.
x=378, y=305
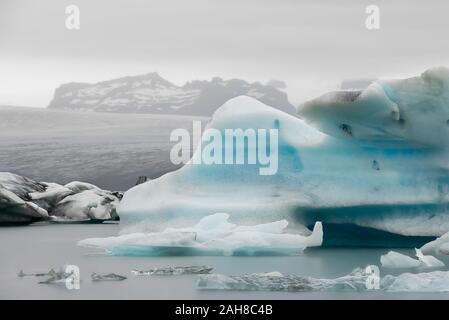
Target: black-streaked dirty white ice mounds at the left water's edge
x=23, y=201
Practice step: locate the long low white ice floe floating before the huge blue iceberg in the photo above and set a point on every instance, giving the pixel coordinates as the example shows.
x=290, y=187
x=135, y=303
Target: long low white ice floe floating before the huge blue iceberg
x=212, y=235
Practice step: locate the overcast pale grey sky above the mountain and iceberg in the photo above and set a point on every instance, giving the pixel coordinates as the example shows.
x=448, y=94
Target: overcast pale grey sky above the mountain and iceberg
x=311, y=45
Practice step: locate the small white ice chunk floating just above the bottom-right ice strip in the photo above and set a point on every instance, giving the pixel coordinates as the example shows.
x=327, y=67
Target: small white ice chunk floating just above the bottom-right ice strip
x=398, y=260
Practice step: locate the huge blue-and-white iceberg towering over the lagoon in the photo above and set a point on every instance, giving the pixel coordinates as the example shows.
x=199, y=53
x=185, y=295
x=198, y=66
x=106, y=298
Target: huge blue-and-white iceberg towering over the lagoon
x=375, y=158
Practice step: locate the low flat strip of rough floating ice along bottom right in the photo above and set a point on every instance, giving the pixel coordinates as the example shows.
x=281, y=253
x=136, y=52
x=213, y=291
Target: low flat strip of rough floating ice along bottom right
x=357, y=280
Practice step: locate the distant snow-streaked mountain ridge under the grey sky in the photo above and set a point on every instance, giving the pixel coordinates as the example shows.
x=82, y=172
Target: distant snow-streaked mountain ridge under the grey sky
x=151, y=93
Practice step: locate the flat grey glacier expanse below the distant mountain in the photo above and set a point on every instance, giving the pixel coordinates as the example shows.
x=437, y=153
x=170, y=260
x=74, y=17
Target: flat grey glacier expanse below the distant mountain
x=108, y=150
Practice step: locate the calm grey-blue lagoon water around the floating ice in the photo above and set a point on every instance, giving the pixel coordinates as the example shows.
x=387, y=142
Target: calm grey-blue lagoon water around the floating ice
x=38, y=248
